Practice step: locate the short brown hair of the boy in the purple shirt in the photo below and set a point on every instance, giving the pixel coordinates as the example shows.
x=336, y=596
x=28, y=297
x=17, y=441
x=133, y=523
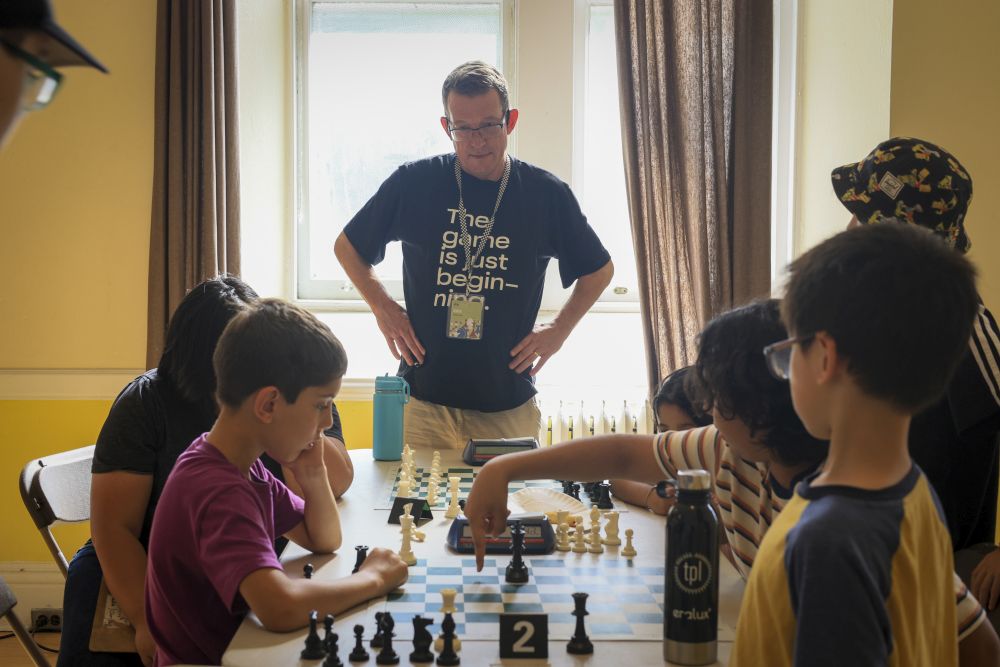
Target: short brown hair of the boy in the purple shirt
x=275, y=343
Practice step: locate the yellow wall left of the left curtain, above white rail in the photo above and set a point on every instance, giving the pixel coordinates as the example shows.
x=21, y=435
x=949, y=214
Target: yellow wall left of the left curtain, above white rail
x=76, y=183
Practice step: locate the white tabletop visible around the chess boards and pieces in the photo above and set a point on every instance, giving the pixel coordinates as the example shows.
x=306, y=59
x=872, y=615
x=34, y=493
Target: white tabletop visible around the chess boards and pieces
x=253, y=645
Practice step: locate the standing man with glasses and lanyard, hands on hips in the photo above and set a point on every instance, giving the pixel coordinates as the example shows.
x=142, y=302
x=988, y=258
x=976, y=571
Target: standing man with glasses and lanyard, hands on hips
x=478, y=229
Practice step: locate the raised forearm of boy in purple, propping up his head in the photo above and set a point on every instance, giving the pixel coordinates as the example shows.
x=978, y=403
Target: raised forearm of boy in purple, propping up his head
x=319, y=530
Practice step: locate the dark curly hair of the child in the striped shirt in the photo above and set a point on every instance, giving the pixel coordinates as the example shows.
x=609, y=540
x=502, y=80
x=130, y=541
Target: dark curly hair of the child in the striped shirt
x=731, y=376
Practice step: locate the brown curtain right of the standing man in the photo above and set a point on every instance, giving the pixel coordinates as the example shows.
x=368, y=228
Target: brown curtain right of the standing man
x=695, y=92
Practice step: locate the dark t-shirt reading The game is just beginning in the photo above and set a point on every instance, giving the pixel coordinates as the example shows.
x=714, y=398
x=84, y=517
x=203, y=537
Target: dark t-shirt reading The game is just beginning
x=538, y=219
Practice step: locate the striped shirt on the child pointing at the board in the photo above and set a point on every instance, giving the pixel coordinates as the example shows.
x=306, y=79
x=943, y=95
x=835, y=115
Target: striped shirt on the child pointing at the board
x=749, y=500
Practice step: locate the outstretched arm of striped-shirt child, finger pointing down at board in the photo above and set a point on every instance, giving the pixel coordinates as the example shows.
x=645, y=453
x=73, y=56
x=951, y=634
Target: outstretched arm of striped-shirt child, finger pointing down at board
x=617, y=456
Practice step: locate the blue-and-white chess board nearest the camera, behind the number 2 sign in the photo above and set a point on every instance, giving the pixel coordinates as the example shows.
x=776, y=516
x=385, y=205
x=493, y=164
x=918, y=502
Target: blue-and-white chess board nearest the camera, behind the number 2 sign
x=625, y=603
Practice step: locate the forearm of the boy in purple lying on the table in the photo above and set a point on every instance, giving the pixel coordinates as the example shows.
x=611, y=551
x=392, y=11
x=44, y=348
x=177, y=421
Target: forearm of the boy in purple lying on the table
x=283, y=604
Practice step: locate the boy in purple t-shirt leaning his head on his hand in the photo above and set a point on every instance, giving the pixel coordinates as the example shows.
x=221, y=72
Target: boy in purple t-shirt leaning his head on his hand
x=211, y=549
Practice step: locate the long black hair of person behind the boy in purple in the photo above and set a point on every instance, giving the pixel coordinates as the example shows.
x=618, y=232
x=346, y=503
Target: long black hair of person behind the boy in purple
x=194, y=331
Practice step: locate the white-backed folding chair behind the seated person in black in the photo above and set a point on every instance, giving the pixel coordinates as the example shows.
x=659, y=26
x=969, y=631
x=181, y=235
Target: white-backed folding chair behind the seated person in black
x=57, y=489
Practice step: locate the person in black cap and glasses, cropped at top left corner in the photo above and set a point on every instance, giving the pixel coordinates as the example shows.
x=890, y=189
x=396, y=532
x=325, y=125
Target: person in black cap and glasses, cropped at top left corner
x=32, y=46
